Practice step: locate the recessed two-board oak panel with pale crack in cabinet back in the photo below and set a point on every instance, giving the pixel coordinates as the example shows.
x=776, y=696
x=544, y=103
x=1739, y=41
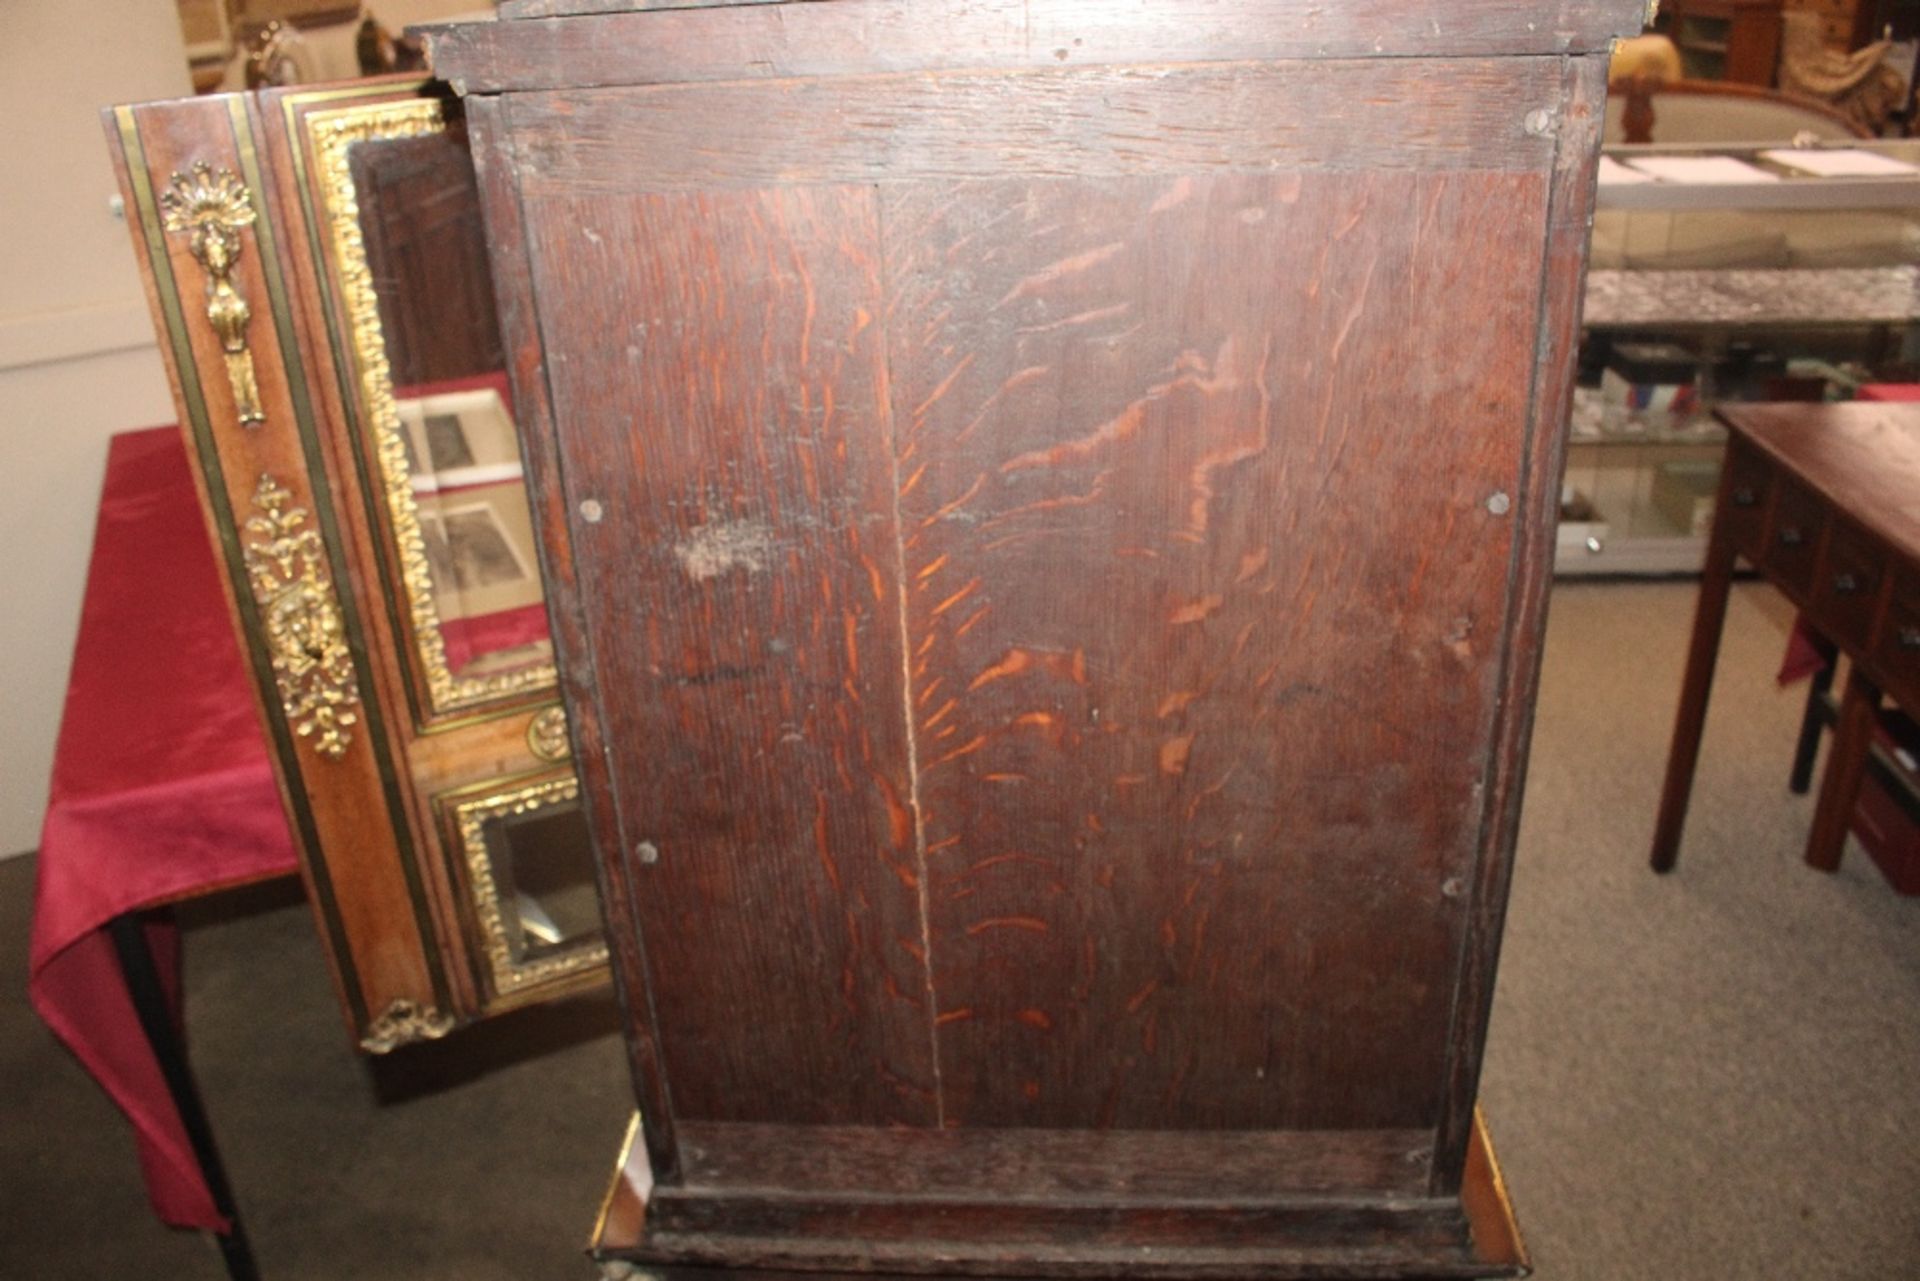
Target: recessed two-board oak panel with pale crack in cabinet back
x=1047, y=627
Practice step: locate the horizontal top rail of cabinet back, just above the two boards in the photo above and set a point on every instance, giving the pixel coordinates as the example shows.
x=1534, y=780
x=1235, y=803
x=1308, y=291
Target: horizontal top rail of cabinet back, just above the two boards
x=1099, y=122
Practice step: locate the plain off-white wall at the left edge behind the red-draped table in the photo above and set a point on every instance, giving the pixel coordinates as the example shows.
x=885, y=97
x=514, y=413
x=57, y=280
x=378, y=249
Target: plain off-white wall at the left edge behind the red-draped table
x=78, y=352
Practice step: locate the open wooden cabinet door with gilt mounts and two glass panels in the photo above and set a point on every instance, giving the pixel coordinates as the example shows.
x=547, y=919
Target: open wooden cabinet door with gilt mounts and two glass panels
x=318, y=274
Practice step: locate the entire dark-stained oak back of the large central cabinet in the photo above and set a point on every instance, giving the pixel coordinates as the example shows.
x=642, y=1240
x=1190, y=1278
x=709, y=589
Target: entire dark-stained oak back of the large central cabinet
x=1055, y=571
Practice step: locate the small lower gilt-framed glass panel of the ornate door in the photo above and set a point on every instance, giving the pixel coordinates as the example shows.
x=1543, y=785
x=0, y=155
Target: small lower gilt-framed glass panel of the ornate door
x=529, y=865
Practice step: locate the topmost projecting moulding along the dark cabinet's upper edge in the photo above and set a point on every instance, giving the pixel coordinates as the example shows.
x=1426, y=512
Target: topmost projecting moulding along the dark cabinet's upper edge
x=865, y=37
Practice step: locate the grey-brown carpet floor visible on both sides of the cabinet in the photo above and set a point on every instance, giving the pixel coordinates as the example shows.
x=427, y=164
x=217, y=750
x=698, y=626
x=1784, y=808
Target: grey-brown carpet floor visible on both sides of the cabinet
x=1714, y=1075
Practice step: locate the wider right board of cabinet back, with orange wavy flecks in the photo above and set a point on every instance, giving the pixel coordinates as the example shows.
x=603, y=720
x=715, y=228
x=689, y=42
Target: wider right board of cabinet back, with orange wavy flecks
x=1201, y=708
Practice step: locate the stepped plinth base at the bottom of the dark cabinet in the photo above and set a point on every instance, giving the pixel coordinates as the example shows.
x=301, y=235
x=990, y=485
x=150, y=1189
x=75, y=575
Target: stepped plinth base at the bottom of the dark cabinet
x=1111, y=1222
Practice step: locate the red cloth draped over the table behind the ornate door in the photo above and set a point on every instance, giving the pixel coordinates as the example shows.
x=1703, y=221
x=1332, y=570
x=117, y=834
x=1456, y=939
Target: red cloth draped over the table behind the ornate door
x=162, y=790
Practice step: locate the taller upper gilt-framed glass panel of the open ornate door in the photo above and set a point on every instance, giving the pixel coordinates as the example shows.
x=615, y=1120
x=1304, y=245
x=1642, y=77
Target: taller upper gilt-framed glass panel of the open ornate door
x=400, y=210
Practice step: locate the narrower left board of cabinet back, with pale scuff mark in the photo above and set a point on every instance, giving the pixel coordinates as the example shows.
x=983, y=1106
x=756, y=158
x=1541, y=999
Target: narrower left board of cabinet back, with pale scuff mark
x=744, y=610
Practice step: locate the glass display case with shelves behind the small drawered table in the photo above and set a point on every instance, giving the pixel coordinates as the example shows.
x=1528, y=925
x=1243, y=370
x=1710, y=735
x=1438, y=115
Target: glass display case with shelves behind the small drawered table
x=1783, y=287
